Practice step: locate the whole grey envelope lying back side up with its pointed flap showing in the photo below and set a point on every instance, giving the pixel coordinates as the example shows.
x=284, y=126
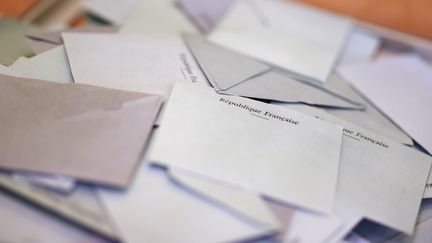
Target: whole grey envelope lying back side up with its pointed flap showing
x=235, y=74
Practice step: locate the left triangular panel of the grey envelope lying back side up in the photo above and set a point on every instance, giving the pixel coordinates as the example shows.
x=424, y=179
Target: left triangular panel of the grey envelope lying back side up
x=223, y=68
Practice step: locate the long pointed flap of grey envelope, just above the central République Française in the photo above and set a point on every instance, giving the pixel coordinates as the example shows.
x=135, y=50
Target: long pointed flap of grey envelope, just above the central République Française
x=278, y=87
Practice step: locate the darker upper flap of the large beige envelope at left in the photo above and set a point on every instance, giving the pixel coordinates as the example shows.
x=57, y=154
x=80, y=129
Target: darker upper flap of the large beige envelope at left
x=61, y=100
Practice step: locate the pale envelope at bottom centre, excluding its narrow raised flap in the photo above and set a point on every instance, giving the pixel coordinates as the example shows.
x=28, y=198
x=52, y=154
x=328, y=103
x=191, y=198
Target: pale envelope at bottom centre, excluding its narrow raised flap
x=154, y=204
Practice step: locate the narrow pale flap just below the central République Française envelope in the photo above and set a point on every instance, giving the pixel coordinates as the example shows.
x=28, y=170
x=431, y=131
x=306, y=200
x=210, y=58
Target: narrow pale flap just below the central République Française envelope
x=246, y=203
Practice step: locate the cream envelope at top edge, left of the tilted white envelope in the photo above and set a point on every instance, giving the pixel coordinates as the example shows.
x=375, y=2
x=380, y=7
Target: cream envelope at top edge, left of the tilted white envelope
x=157, y=17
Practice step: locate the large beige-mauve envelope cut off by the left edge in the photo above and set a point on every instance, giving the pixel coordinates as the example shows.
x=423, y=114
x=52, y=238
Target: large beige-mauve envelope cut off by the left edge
x=89, y=133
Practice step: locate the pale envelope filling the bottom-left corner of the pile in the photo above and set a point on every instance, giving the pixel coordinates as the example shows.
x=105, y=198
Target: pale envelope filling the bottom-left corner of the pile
x=21, y=222
